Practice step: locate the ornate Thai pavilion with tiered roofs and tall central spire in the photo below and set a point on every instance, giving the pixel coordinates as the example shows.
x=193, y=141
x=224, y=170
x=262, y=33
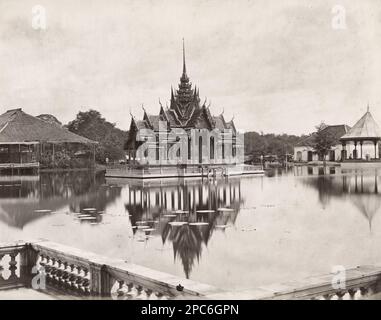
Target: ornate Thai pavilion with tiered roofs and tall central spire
x=185, y=112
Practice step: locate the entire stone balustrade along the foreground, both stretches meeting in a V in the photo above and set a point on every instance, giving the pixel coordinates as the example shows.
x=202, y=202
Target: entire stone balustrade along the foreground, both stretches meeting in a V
x=73, y=273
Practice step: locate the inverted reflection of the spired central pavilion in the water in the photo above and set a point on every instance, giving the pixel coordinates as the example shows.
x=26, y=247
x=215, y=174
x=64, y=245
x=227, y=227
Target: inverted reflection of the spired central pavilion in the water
x=184, y=213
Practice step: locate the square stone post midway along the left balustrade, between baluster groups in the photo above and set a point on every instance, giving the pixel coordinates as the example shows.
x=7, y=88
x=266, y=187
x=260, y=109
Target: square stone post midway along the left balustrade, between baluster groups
x=100, y=280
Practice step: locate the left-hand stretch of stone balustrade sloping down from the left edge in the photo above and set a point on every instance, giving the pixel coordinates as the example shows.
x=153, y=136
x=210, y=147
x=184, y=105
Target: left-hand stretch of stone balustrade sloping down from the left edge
x=72, y=272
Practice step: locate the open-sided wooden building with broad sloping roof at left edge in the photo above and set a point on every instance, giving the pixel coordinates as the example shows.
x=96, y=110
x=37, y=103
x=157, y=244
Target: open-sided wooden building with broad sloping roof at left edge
x=27, y=141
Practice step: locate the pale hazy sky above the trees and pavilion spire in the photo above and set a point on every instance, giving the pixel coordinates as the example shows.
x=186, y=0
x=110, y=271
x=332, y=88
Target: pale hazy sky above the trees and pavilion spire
x=275, y=66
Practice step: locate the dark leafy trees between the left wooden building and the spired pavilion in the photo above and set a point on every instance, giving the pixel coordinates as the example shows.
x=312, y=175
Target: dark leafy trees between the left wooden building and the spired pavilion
x=91, y=125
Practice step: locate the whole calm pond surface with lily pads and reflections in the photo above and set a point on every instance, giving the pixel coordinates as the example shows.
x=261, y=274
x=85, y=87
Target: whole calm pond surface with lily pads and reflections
x=279, y=227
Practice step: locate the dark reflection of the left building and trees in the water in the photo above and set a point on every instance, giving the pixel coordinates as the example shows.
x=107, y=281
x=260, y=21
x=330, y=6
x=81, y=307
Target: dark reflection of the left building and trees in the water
x=22, y=195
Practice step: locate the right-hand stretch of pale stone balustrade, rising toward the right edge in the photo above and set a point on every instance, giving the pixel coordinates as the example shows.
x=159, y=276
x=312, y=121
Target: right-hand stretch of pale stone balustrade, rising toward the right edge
x=357, y=283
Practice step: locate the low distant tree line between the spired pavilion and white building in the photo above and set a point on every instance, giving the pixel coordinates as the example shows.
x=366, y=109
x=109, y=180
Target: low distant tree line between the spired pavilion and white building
x=257, y=144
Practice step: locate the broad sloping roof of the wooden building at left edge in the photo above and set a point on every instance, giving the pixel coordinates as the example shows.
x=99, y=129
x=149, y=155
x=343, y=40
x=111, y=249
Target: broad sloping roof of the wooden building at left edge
x=16, y=126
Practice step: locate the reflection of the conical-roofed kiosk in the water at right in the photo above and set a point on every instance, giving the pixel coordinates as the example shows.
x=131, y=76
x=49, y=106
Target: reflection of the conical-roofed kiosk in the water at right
x=361, y=187
